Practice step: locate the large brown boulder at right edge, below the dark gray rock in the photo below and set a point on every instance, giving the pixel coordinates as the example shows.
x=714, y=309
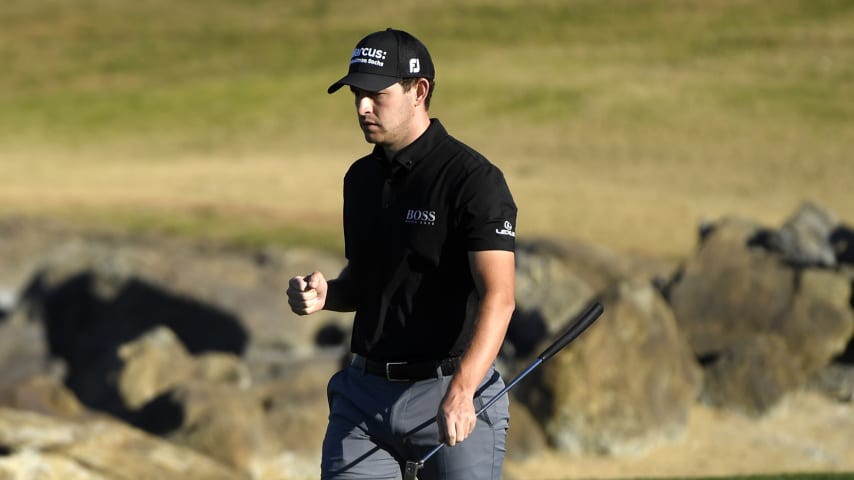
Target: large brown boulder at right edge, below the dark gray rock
x=741, y=298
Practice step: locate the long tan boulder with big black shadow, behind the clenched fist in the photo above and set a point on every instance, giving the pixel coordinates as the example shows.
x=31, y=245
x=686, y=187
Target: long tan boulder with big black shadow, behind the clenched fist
x=91, y=297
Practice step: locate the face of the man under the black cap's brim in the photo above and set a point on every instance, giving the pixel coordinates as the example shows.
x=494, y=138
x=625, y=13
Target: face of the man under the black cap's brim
x=386, y=117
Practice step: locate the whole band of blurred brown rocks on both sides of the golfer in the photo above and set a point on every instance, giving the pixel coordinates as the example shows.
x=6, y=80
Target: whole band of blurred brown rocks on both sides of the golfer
x=193, y=352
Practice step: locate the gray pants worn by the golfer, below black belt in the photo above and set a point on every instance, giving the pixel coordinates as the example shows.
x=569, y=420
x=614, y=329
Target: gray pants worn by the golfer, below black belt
x=375, y=426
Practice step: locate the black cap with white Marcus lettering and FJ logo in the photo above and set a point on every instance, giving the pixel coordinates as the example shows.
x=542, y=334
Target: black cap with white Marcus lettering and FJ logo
x=384, y=58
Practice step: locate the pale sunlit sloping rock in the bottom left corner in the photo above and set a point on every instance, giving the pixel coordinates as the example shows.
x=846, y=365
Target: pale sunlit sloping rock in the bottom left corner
x=50, y=448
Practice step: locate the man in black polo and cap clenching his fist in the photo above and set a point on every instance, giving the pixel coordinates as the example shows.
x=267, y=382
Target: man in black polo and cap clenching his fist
x=429, y=241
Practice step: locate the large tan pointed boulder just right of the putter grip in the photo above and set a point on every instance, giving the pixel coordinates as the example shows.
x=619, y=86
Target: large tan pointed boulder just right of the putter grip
x=625, y=386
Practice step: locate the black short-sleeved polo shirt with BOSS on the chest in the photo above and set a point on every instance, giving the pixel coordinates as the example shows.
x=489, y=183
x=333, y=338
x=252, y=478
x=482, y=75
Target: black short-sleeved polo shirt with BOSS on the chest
x=409, y=223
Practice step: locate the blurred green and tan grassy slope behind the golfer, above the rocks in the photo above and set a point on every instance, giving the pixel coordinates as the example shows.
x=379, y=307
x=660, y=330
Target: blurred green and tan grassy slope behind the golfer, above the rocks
x=622, y=123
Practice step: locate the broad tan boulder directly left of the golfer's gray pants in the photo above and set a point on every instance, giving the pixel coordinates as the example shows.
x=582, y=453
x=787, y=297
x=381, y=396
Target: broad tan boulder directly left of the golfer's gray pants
x=274, y=426
